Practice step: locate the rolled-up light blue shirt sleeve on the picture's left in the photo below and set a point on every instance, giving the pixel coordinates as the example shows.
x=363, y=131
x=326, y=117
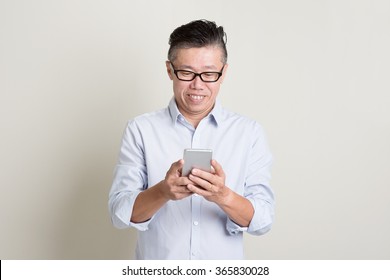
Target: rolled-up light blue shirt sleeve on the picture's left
x=130, y=178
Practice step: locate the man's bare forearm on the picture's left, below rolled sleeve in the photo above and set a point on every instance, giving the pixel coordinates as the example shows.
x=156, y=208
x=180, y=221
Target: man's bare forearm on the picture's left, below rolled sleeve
x=148, y=203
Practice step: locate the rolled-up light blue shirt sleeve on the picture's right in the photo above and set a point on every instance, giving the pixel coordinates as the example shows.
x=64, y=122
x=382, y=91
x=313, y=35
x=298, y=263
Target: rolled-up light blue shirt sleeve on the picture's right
x=257, y=188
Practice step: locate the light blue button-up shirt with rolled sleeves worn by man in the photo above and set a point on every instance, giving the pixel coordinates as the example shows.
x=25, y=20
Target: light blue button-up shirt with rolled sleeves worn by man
x=192, y=228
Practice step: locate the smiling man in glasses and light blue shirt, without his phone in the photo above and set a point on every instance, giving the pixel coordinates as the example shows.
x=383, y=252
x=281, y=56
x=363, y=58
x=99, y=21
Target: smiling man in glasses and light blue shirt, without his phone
x=203, y=215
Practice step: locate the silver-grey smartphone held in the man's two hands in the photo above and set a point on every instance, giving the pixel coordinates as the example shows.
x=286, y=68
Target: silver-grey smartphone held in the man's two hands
x=196, y=158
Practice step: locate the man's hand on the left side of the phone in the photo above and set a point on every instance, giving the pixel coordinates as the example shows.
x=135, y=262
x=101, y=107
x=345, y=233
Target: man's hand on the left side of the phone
x=174, y=186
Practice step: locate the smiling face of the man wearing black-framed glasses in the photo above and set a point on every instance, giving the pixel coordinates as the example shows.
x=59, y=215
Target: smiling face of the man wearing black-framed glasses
x=195, y=99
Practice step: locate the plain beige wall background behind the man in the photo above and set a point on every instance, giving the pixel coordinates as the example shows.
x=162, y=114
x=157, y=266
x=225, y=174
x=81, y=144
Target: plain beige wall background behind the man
x=315, y=74
